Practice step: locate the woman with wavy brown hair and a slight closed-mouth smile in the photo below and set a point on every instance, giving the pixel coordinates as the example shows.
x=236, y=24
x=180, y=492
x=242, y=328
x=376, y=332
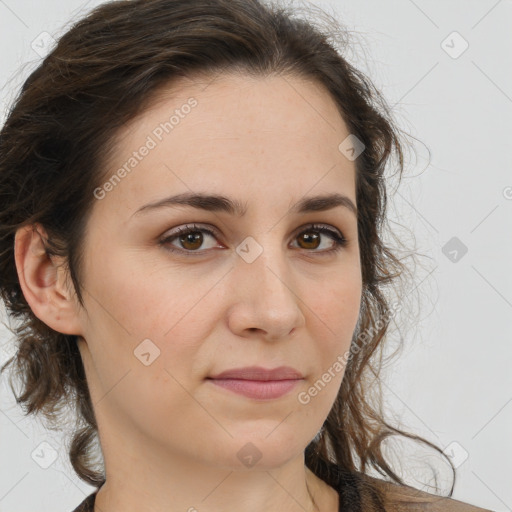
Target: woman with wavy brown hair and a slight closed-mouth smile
x=191, y=236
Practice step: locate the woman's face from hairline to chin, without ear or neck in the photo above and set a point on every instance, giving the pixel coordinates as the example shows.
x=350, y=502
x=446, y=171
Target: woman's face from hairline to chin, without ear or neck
x=166, y=312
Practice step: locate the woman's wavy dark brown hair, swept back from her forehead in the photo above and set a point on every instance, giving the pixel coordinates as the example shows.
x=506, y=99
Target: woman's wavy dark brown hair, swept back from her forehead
x=101, y=74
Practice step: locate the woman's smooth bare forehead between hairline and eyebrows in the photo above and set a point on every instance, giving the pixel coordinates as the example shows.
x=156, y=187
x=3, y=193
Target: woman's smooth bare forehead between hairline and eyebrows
x=233, y=133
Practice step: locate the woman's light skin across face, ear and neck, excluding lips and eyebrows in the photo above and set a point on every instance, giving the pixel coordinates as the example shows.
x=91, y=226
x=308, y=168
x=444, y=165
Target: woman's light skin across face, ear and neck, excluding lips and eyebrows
x=170, y=437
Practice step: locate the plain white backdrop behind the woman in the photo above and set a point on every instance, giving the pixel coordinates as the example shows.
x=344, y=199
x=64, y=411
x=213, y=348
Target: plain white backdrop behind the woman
x=452, y=383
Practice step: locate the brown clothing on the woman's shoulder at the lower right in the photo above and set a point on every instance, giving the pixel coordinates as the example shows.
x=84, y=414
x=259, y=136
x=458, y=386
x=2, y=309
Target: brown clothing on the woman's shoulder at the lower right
x=402, y=498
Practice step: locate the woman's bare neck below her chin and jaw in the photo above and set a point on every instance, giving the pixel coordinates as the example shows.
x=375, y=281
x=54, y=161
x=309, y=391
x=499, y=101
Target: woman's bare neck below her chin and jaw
x=185, y=486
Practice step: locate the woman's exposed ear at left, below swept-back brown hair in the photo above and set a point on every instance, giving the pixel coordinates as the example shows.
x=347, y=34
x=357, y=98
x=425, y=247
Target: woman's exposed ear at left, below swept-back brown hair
x=44, y=282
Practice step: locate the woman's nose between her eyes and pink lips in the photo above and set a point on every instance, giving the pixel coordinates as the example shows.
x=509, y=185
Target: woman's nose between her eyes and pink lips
x=266, y=303
